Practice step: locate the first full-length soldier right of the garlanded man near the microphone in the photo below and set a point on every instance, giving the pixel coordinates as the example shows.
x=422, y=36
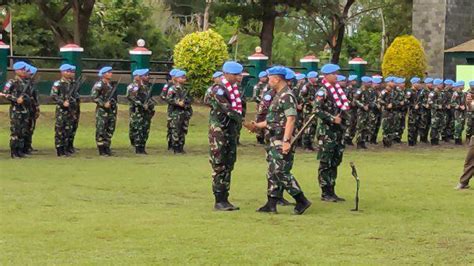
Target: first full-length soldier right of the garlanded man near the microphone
x=362, y=100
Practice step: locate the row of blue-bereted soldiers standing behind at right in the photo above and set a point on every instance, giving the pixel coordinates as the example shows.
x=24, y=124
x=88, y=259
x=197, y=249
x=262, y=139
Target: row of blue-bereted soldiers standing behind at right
x=431, y=108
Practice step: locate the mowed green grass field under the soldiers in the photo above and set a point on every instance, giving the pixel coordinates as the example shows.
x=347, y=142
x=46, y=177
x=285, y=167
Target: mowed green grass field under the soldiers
x=157, y=209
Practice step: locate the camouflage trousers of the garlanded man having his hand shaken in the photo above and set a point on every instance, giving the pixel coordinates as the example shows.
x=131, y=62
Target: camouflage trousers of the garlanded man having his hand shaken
x=222, y=155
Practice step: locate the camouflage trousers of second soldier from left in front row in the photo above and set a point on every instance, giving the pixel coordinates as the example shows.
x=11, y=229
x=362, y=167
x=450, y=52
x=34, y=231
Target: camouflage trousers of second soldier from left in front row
x=63, y=127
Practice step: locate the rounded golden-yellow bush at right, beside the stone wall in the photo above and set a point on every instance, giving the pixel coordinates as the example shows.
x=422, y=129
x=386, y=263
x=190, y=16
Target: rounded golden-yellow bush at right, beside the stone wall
x=404, y=58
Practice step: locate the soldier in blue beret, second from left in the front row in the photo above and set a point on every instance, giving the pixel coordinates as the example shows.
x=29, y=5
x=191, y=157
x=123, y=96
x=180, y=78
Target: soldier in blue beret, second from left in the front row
x=62, y=94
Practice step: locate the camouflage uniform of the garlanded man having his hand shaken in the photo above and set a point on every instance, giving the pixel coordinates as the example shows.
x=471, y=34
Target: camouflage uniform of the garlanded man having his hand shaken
x=222, y=139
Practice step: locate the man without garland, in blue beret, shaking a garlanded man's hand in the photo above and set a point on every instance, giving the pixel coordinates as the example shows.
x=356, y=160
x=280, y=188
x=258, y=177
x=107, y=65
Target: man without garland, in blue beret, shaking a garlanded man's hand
x=280, y=122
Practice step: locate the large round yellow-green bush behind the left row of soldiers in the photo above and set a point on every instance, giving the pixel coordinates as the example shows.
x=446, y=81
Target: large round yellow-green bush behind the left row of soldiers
x=200, y=54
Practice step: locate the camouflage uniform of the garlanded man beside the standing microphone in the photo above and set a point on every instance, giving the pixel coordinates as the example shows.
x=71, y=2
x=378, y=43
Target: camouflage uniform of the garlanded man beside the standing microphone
x=330, y=141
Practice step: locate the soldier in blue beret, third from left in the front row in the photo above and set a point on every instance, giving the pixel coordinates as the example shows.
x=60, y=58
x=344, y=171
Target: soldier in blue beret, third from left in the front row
x=104, y=94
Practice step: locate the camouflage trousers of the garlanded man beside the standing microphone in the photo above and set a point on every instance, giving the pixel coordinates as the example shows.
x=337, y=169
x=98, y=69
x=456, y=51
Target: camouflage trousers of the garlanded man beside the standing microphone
x=330, y=153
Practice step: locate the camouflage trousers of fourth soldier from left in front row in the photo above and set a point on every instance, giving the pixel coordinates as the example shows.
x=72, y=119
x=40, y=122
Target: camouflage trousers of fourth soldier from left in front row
x=139, y=127
